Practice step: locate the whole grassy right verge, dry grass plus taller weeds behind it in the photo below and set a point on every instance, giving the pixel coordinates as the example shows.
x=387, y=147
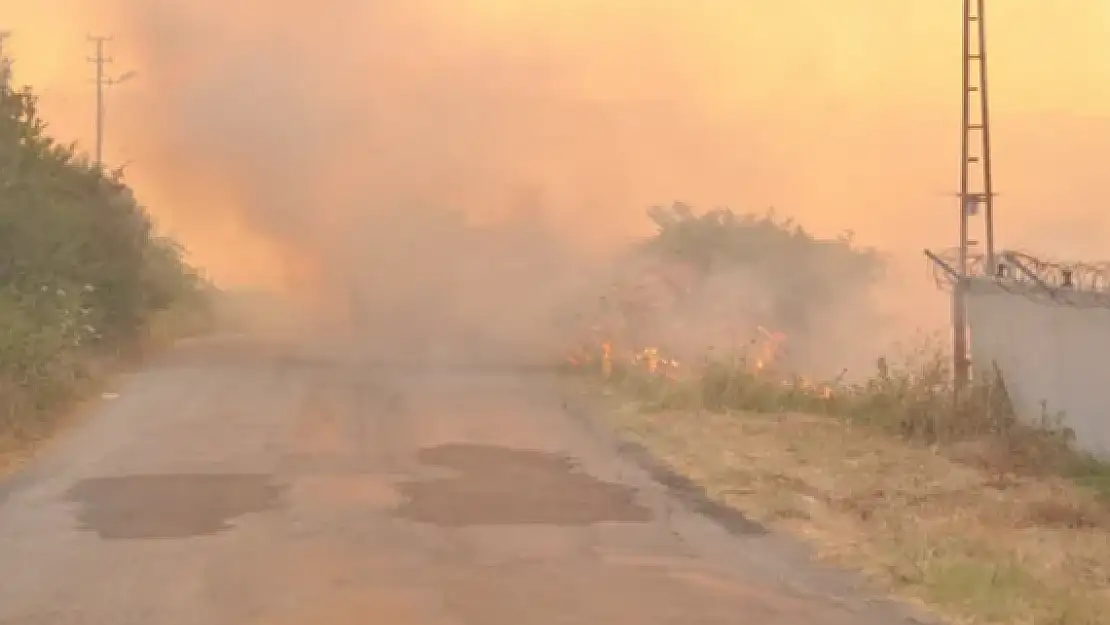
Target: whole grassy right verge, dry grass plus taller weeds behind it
x=950, y=503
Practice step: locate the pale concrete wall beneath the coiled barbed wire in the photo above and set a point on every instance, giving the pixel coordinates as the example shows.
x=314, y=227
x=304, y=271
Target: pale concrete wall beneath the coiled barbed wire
x=1055, y=357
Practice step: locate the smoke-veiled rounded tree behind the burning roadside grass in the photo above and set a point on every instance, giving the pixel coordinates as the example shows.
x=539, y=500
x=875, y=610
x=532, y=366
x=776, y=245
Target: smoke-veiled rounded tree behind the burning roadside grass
x=740, y=273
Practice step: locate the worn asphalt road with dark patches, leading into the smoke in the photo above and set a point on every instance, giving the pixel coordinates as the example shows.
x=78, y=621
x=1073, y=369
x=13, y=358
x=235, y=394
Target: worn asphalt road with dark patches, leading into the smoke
x=229, y=485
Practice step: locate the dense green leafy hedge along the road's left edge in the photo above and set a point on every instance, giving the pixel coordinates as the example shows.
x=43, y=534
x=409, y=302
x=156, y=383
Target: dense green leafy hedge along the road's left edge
x=83, y=274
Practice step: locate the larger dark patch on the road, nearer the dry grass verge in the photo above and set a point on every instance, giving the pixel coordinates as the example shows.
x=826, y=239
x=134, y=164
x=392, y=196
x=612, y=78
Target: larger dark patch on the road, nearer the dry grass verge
x=507, y=487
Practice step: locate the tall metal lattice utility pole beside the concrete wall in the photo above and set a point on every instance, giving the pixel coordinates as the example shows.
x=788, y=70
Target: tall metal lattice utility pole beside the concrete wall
x=977, y=194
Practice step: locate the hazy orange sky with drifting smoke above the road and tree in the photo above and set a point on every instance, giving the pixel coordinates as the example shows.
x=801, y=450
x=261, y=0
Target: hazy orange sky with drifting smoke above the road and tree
x=276, y=116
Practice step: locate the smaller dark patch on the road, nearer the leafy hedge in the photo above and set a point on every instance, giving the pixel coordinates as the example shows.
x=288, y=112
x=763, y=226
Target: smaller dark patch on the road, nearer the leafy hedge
x=170, y=507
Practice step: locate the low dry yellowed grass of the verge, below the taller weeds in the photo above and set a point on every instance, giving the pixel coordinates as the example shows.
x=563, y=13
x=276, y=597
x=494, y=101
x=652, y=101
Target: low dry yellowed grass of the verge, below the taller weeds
x=992, y=528
